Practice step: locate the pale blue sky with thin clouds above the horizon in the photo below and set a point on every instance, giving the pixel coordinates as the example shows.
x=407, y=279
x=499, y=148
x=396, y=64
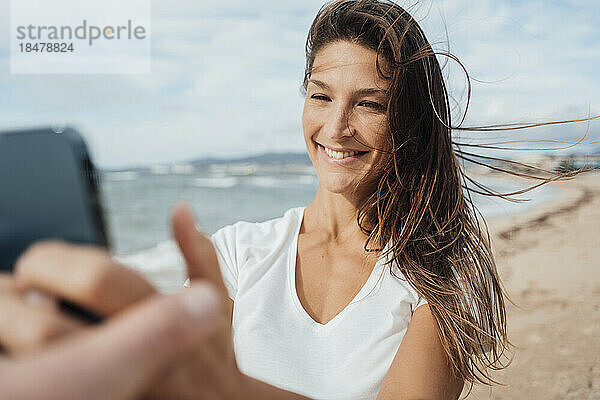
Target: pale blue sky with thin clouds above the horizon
x=226, y=77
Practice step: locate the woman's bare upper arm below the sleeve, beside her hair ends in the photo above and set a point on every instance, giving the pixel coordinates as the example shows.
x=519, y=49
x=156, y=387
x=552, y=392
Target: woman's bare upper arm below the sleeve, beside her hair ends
x=420, y=368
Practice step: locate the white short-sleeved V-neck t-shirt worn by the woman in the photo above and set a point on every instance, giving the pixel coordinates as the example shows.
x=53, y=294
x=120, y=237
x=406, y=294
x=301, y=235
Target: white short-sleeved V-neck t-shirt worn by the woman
x=276, y=341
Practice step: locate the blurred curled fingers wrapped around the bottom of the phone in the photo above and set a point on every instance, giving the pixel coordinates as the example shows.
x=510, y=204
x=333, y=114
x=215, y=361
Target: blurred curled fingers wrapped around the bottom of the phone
x=85, y=275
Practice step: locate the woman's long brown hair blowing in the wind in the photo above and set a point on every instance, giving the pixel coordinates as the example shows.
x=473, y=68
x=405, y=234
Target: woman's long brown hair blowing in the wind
x=418, y=198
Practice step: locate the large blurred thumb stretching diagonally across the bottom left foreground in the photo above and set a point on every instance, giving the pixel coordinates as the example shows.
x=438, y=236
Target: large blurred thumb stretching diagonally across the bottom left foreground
x=123, y=358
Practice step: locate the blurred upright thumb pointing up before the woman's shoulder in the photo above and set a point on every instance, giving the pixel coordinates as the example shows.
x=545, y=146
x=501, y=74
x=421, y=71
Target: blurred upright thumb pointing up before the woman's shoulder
x=197, y=249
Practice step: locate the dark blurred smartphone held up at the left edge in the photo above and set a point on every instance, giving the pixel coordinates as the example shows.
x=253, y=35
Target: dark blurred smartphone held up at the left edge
x=48, y=190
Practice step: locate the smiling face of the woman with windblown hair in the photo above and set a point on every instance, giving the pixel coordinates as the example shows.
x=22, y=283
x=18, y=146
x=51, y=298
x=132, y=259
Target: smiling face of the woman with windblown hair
x=344, y=114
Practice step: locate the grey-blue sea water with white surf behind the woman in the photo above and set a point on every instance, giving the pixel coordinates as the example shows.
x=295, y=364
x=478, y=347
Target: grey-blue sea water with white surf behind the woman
x=137, y=206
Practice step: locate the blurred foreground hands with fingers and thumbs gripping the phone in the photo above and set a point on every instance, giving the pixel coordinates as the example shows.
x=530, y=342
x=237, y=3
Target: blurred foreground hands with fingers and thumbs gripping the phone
x=156, y=349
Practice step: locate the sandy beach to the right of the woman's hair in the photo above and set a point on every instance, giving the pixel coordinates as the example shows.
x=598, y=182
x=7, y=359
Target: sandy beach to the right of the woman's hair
x=549, y=261
